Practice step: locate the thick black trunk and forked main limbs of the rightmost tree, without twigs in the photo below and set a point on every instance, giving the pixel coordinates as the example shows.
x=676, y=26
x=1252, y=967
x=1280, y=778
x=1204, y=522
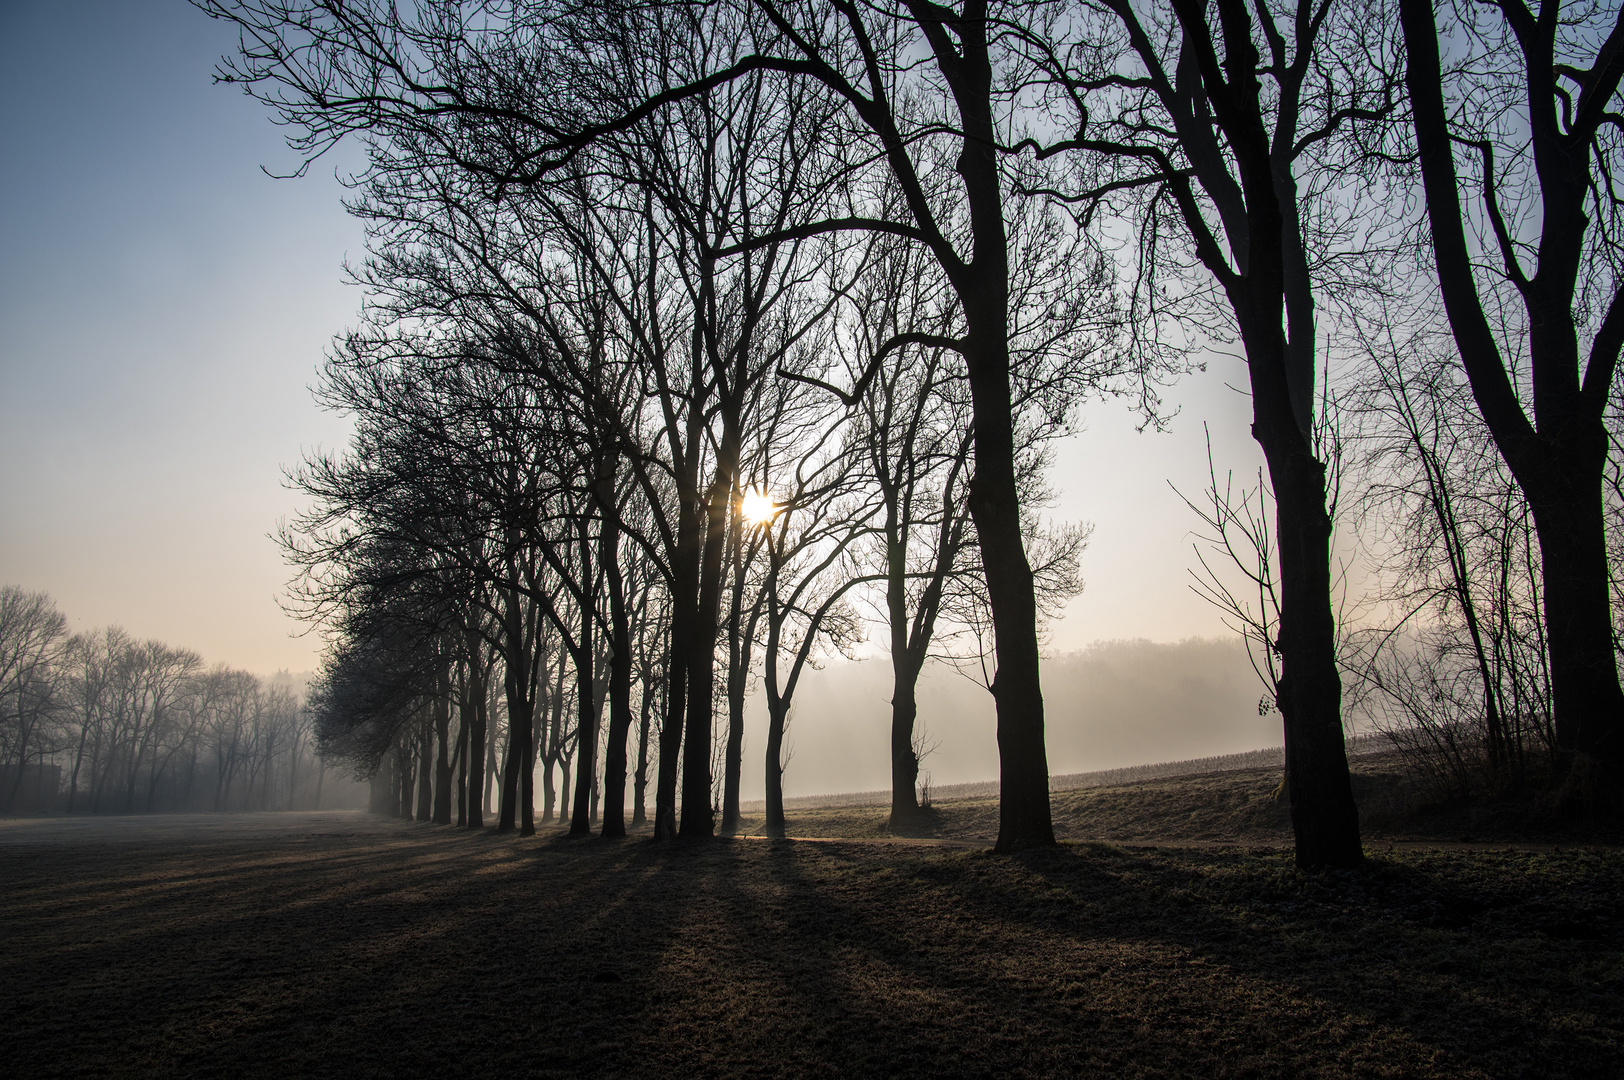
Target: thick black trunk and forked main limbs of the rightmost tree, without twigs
x=1558, y=459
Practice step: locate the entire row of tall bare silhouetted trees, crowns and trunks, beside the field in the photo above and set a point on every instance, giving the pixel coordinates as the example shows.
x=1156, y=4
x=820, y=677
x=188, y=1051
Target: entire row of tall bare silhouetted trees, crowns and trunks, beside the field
x=696, y=329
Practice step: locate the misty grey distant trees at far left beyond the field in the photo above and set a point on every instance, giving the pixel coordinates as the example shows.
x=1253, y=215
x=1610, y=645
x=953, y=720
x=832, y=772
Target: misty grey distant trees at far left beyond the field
x=142, y=727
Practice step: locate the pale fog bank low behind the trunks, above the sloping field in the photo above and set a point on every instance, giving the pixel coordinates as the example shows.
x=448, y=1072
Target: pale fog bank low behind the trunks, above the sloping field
x=1108, y=706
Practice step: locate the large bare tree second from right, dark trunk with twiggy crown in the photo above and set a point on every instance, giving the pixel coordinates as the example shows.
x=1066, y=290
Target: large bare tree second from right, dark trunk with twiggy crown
x=1222, y=131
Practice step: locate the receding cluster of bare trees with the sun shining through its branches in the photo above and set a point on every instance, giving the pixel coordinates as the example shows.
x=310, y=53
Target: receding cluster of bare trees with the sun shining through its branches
x=564, y=402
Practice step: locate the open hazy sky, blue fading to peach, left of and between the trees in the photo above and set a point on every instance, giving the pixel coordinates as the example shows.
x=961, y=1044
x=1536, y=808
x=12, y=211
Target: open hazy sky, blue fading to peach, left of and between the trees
x=165, y=308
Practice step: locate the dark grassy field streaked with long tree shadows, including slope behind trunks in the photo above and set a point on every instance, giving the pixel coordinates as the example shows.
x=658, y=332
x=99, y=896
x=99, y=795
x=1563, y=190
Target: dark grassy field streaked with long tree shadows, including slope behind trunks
x=348, y=946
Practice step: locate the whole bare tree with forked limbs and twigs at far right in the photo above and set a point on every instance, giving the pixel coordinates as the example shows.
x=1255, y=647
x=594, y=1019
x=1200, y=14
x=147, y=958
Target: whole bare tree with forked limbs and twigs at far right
x=1532, y=97
